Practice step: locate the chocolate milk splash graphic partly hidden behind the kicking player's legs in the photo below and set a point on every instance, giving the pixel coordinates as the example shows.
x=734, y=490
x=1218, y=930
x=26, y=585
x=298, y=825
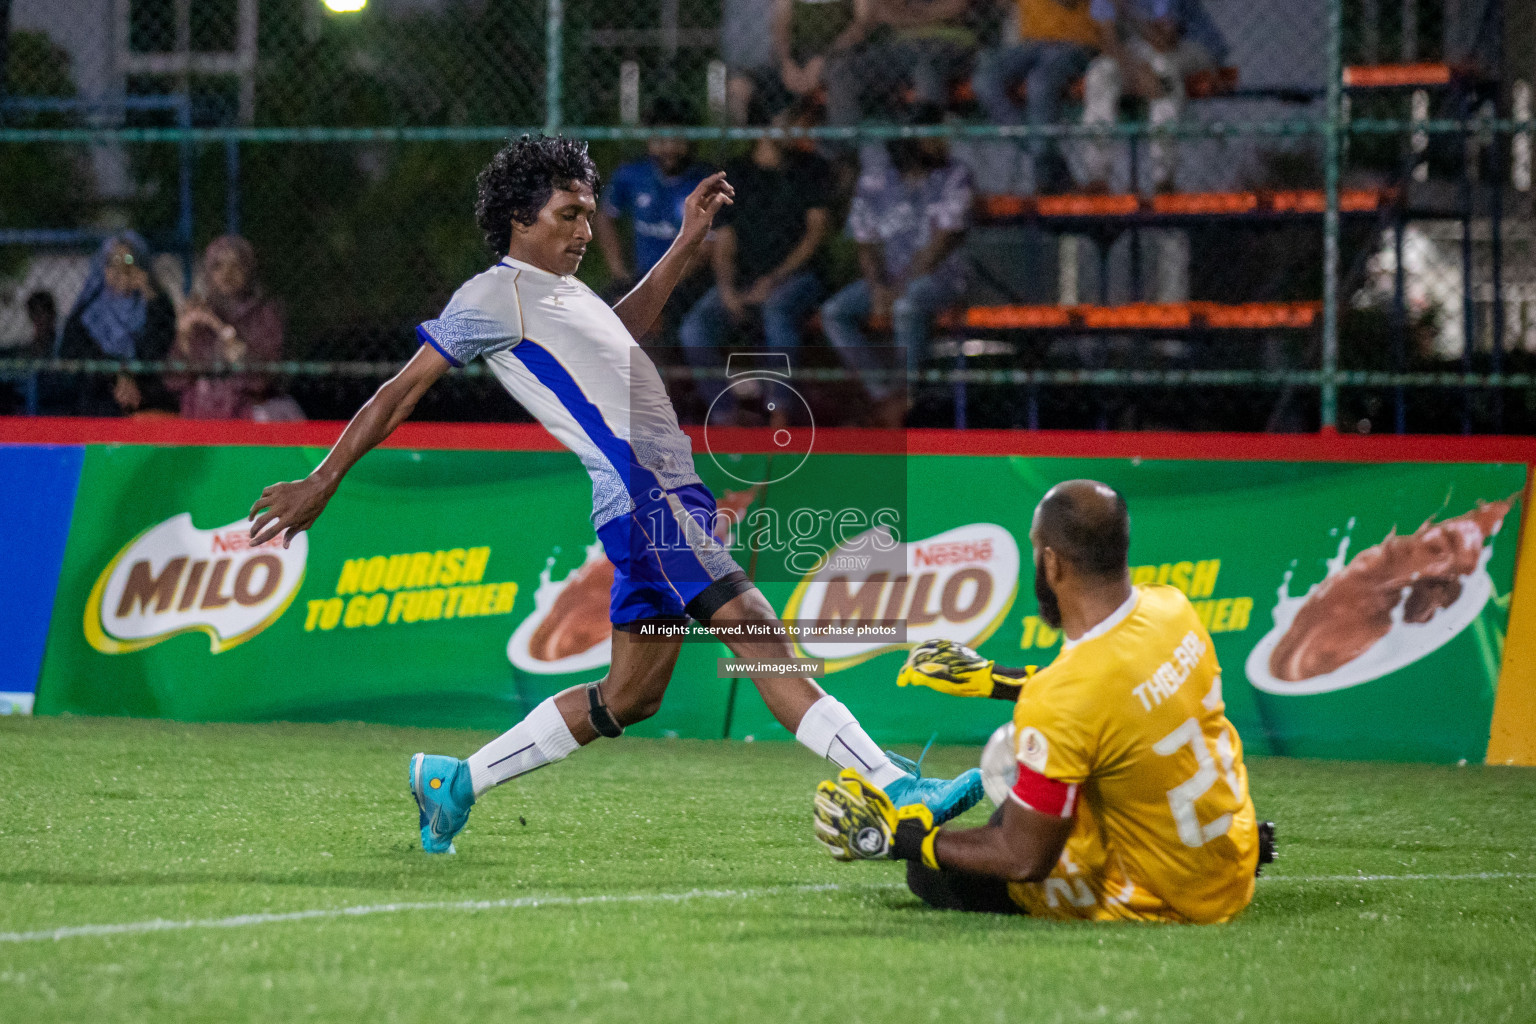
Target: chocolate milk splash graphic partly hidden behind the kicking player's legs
x=569, y=629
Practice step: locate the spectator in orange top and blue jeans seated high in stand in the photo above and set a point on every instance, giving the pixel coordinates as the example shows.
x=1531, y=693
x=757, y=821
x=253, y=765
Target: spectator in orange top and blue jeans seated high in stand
x=1058, y=39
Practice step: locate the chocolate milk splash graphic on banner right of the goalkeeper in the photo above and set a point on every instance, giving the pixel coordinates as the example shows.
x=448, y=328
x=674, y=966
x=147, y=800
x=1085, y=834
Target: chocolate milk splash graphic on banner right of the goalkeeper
x=1388, y=607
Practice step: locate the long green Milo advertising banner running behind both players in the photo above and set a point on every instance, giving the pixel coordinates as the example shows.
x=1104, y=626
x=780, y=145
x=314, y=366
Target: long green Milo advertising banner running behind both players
x=1359, y=610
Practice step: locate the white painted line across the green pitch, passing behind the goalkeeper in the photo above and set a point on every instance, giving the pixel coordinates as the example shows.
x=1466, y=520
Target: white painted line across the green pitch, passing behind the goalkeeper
x=520, y=903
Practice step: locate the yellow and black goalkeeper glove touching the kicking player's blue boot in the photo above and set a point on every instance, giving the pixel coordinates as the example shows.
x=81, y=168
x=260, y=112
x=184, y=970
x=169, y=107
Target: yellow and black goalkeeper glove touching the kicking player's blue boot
x=855, y=821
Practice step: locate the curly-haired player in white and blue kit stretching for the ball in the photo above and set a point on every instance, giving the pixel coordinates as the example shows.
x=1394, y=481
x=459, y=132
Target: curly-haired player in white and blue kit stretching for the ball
x=574, y=365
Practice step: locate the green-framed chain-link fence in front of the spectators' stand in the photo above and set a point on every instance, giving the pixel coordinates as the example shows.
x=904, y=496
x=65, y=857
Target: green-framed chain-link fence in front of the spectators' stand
x=1093, y=214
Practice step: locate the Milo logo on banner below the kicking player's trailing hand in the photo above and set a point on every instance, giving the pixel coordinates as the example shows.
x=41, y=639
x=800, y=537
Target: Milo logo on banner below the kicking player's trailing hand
x=176, y=578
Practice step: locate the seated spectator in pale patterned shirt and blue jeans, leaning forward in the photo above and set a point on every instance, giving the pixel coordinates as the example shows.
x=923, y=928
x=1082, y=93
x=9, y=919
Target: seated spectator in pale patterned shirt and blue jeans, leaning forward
x=910, y=214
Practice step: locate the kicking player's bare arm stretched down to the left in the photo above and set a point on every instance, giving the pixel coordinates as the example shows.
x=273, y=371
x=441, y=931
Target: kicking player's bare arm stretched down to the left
x=294, y=507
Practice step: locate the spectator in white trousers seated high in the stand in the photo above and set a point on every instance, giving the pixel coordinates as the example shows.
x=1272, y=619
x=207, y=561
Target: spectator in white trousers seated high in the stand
x=1150, y=48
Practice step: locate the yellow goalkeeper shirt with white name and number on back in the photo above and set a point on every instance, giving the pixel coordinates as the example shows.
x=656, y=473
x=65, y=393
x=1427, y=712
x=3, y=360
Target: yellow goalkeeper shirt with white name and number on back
x=1131, y=719
